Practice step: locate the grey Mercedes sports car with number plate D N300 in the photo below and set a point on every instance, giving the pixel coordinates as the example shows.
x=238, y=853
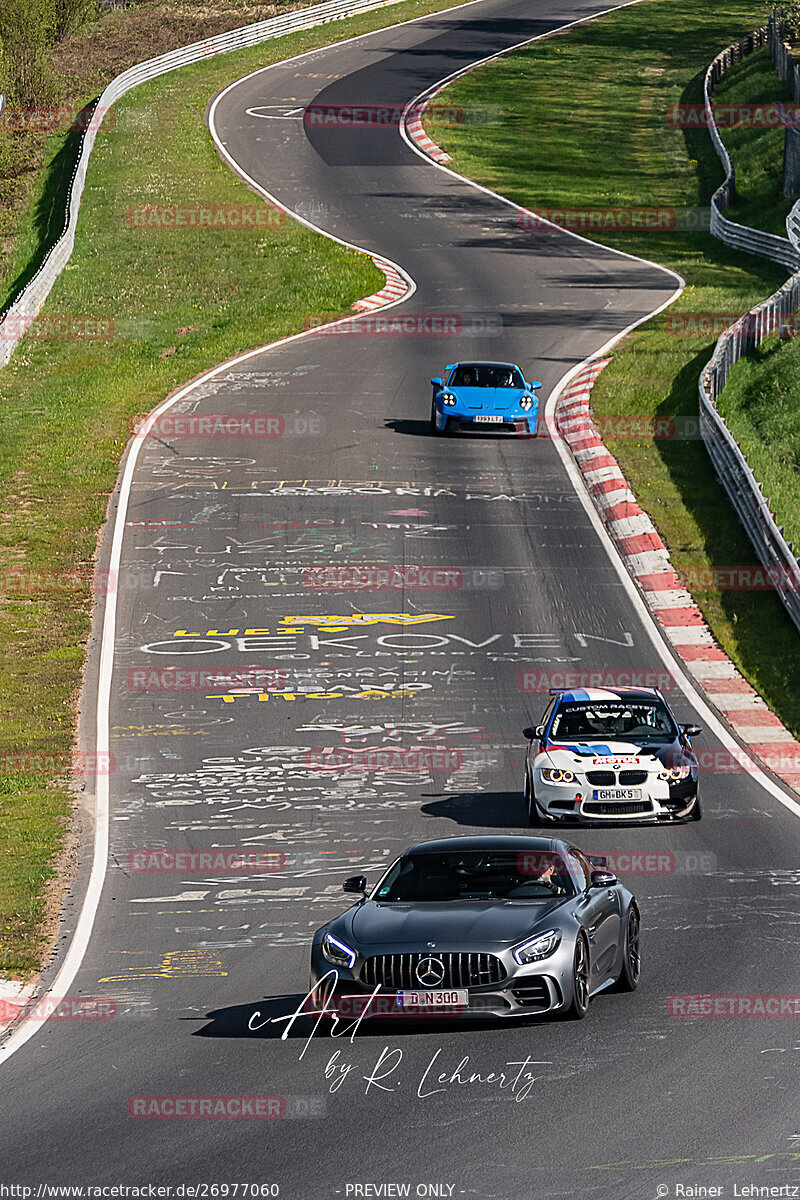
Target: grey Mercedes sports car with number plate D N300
x=479, y=927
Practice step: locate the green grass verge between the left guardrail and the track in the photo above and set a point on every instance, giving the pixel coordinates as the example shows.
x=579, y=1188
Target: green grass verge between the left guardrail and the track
x=182, y=302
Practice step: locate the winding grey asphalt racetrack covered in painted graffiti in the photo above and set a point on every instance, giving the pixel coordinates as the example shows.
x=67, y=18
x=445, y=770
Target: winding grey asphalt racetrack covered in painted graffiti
x=222, y=550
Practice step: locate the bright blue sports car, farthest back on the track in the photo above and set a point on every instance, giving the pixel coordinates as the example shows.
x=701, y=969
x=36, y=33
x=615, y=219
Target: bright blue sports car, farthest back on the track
x=483, y=398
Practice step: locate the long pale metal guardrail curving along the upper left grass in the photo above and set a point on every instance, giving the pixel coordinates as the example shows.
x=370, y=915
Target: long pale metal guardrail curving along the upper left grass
x=26, y=307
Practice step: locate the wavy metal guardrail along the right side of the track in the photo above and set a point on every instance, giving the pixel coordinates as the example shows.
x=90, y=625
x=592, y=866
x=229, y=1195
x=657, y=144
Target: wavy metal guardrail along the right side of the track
x=747, y=494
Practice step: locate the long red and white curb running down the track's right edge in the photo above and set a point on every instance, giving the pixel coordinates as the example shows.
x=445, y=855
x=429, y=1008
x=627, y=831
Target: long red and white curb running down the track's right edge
x=648, y=561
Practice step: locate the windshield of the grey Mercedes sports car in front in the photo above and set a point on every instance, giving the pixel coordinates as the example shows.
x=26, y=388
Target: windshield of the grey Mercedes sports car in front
x=476, y=875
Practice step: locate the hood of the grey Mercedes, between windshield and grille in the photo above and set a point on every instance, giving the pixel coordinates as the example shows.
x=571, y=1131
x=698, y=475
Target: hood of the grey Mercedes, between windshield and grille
x=466, y=925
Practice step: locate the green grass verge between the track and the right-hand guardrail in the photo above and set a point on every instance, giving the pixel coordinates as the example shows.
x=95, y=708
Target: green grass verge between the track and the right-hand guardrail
x=564, y=103
